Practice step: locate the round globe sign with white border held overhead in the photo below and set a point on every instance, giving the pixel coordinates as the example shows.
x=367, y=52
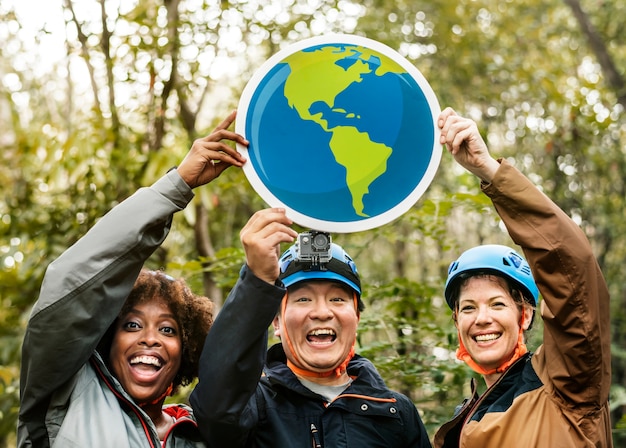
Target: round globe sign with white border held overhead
x=342, y=133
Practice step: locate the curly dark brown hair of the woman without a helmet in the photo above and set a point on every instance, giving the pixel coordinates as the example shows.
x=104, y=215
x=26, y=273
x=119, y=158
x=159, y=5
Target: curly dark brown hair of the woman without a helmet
x=193, y=313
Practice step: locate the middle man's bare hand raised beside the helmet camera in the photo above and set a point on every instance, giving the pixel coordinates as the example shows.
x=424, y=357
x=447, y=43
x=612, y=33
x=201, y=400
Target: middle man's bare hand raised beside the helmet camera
x=261, y=238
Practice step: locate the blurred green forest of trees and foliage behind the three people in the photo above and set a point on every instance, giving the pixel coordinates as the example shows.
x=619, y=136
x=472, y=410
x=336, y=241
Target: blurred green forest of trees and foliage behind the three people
x=99, y=98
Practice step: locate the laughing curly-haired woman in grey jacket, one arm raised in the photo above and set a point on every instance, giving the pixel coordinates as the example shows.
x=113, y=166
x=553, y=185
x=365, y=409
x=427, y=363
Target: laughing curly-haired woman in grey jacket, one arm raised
x=108, y=340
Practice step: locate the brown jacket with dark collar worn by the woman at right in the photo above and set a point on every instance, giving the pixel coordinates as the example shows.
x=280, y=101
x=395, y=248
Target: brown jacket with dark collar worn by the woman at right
x=558, y=396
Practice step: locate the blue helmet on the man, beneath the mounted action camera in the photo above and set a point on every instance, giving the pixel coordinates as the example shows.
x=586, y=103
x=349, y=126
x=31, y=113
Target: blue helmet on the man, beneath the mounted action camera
x=336, y=266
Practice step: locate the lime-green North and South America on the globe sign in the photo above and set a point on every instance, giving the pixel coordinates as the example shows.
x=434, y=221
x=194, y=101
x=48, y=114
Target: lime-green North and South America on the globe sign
x=363, y=159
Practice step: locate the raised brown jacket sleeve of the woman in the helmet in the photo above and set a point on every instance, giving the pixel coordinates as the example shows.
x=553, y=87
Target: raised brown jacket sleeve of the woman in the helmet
x=574, y=360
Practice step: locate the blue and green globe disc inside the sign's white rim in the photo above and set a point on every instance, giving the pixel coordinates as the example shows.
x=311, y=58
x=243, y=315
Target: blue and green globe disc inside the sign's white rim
x=296, y=157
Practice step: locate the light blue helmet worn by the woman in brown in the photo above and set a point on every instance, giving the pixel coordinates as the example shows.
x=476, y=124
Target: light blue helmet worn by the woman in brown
x=492, y=259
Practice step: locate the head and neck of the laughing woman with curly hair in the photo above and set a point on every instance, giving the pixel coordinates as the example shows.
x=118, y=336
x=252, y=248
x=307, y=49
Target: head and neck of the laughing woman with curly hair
x=155, y=342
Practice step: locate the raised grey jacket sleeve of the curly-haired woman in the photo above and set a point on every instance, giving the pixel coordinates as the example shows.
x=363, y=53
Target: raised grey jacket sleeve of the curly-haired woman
x=84, y=289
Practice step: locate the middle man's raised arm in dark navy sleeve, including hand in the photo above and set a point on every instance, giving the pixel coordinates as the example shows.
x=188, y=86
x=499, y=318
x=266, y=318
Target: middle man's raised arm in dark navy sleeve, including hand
x=234, y=352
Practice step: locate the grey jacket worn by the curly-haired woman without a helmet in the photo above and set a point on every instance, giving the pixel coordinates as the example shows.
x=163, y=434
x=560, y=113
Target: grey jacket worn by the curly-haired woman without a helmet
x=68, y=397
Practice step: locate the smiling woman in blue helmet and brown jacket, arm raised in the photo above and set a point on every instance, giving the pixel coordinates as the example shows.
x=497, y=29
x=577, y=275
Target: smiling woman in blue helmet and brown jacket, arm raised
x=558, y=395
